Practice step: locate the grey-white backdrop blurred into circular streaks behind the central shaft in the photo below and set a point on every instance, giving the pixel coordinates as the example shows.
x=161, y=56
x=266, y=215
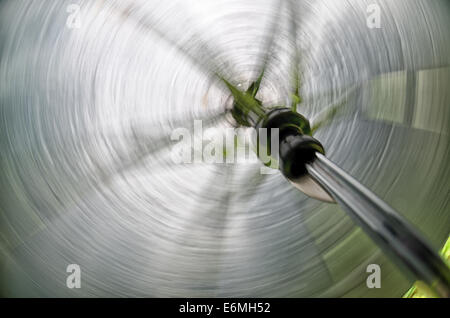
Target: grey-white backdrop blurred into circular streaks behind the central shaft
x=89, y=95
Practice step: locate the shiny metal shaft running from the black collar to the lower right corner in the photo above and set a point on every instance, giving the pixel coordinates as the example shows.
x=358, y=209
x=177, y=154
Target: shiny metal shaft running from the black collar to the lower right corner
x=386, y=227
